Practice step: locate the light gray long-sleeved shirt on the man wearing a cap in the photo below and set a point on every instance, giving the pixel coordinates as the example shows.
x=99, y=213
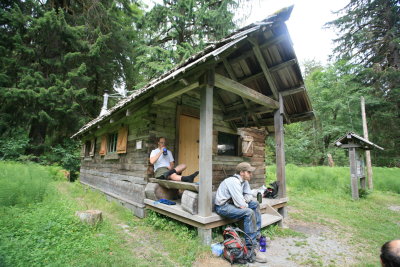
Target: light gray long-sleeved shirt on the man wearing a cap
x=234, y=188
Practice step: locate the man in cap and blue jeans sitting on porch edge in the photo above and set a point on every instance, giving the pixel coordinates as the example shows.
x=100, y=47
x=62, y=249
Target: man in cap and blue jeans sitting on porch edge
x=234, y=200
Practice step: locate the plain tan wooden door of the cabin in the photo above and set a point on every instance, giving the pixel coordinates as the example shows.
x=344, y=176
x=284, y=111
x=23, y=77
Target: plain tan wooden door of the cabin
x=189, y=128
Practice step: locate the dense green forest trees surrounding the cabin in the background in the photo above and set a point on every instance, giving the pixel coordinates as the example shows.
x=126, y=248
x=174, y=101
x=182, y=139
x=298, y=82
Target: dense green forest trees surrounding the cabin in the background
x=58, y=57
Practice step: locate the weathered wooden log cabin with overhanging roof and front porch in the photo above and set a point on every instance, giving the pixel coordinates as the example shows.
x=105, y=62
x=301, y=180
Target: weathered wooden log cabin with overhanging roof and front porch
x=216, y=109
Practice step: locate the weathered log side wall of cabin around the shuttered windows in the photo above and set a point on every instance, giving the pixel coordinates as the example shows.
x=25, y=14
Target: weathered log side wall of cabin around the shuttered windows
x=121, y=176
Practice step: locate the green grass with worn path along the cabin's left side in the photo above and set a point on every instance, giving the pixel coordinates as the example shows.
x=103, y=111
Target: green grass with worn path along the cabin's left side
x=44, y=231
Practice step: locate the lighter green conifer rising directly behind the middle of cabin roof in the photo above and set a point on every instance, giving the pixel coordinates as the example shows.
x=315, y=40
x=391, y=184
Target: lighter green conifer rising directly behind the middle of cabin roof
x=174, y=30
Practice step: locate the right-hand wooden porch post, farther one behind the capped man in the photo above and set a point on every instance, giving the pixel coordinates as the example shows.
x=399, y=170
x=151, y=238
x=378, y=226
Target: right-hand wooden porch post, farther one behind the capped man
x=280, y=153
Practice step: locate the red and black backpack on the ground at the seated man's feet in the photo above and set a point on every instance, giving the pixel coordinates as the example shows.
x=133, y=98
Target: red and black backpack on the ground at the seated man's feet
x=235, y=250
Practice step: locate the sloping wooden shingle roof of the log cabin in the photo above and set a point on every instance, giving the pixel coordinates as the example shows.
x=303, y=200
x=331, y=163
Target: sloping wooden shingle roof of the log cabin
x=260, y=56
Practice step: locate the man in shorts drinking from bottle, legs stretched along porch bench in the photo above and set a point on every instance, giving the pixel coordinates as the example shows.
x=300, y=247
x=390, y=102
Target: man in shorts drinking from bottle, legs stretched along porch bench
x=163, y=162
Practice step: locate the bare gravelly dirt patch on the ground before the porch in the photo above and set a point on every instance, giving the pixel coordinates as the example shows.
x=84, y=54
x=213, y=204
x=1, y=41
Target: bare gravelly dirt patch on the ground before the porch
x=318, y=246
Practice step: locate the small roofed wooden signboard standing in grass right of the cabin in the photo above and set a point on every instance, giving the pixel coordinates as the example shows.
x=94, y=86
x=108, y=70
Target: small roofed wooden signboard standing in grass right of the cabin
x=356, y=146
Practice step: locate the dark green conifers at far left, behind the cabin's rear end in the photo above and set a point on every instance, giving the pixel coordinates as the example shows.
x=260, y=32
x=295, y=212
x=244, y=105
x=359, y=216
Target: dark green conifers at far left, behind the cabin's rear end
x=57, y=59
